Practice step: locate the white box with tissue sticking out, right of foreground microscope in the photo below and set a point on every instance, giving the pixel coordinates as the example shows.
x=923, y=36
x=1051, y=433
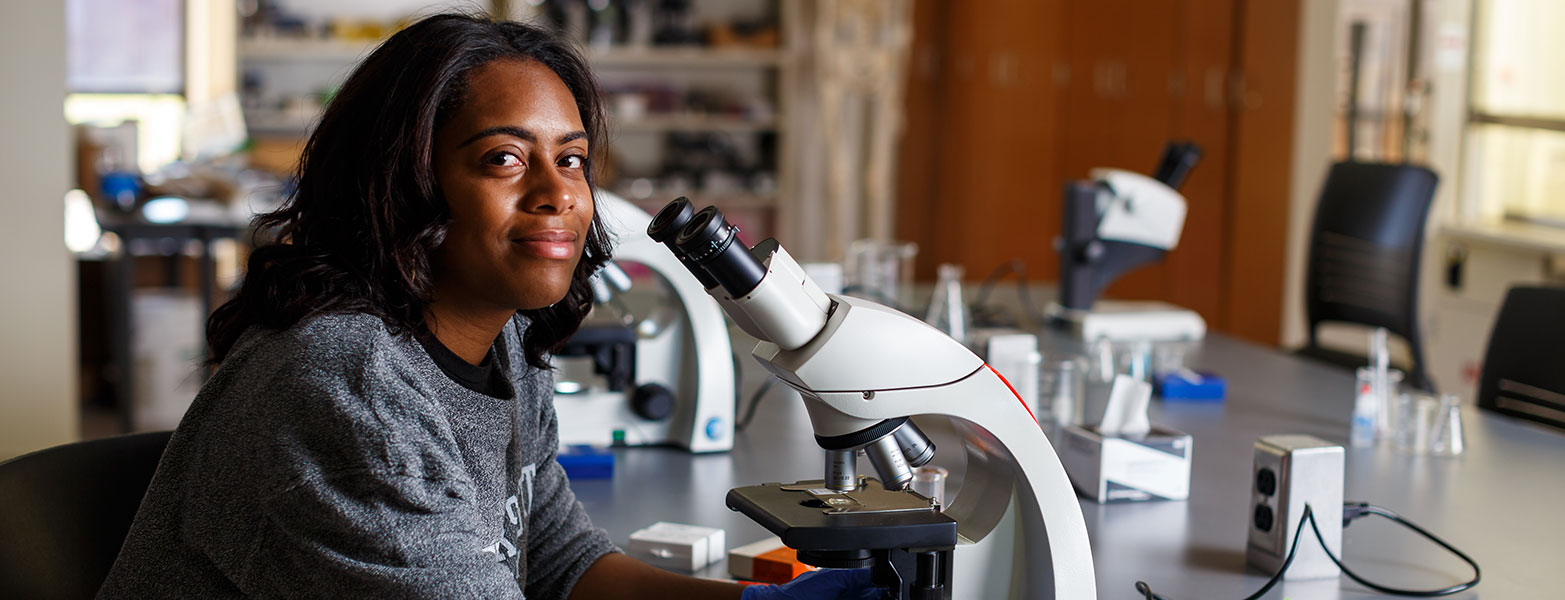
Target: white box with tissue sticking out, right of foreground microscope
x=1112, y=469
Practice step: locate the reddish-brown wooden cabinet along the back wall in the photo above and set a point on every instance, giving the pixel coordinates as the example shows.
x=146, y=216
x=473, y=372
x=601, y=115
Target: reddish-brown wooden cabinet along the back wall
x=1012, y=99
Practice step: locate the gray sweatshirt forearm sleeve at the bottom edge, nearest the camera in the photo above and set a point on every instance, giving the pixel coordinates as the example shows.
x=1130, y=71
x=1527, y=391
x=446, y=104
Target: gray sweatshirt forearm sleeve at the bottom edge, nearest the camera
x=369, y=533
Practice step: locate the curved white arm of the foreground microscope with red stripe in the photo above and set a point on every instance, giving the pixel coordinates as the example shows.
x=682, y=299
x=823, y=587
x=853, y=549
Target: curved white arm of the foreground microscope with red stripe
x=874, y=364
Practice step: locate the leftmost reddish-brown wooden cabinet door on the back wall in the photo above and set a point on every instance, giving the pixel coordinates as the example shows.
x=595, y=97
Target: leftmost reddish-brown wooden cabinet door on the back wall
x=979, y=157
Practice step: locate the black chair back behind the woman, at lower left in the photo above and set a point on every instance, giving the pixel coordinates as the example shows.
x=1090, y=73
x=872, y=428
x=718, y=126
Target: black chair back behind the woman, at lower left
x=65, y=513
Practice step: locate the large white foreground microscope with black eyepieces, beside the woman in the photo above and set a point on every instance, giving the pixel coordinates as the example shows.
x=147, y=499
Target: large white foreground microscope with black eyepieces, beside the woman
x=871, y=378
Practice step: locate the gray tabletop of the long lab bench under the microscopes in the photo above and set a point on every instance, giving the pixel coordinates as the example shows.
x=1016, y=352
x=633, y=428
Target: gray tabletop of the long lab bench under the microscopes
x=1503, y=502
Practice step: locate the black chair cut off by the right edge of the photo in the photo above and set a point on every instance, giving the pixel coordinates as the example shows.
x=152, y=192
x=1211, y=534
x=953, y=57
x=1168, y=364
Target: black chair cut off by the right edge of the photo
x=1525, y=364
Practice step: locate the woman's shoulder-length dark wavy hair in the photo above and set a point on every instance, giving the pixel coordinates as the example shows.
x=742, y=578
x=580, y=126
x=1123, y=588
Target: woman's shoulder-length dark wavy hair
x=359, y=233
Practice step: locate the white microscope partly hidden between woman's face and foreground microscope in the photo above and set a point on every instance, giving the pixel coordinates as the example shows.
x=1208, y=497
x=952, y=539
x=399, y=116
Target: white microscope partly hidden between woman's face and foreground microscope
x=667, y=377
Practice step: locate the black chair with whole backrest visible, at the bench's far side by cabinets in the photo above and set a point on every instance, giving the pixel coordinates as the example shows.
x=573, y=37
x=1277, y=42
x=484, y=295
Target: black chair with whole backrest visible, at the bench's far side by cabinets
x=1365, y=251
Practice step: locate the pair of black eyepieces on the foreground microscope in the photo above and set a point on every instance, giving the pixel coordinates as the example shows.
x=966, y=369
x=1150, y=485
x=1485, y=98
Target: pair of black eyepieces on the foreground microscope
x=710, y=247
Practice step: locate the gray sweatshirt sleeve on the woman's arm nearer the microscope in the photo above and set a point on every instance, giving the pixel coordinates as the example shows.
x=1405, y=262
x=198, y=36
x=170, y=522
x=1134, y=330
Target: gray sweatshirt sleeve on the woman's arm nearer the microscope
x=561, y=540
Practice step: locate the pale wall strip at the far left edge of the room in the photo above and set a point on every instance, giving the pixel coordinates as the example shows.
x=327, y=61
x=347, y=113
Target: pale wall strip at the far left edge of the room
x=38, y=302
